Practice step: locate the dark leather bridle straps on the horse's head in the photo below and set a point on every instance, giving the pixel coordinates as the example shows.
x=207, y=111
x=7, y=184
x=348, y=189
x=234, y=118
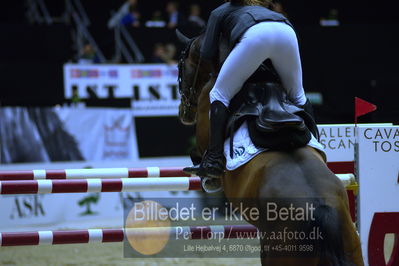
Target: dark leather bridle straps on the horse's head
x=189, y=100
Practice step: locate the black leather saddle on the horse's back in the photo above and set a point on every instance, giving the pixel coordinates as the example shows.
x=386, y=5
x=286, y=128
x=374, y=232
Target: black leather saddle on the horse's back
x=274, y=122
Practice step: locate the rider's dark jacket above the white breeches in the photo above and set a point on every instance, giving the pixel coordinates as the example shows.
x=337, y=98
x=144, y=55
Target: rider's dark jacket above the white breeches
x=232, y=21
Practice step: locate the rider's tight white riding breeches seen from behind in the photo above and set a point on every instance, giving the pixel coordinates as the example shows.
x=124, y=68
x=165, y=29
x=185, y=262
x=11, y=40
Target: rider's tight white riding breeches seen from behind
x=276, y=41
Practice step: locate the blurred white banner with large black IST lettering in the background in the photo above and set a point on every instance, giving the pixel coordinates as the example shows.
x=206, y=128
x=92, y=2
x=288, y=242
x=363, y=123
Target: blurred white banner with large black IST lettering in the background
x=152, y=87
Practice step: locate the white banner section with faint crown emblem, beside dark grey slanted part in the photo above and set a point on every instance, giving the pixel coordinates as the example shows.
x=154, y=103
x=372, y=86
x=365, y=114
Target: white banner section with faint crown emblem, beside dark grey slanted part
x=101, y=134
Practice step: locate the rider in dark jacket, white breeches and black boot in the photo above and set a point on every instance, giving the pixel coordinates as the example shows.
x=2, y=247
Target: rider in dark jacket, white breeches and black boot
x=254, y=33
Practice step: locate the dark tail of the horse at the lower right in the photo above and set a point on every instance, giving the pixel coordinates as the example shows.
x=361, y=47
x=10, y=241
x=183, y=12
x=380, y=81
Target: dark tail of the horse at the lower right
x=330, y=244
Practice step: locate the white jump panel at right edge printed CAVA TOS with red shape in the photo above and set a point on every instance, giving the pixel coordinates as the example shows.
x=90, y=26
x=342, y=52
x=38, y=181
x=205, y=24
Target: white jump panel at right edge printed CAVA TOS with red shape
x=378, y=170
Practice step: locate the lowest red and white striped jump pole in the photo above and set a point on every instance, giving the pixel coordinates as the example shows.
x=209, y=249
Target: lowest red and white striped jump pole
x=118, y=235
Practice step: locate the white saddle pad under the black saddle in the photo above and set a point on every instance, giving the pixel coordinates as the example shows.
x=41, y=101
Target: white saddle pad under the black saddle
x=245, y=150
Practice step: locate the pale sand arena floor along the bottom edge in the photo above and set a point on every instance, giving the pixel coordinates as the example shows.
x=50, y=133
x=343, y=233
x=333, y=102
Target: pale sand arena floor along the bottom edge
x=111, y=254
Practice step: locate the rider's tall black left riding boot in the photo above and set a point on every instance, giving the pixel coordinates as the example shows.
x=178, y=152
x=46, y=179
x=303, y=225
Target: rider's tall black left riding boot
x=213, y=162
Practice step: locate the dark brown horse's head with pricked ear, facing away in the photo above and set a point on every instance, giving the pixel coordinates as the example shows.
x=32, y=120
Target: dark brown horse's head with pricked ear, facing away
x=192, y=77
